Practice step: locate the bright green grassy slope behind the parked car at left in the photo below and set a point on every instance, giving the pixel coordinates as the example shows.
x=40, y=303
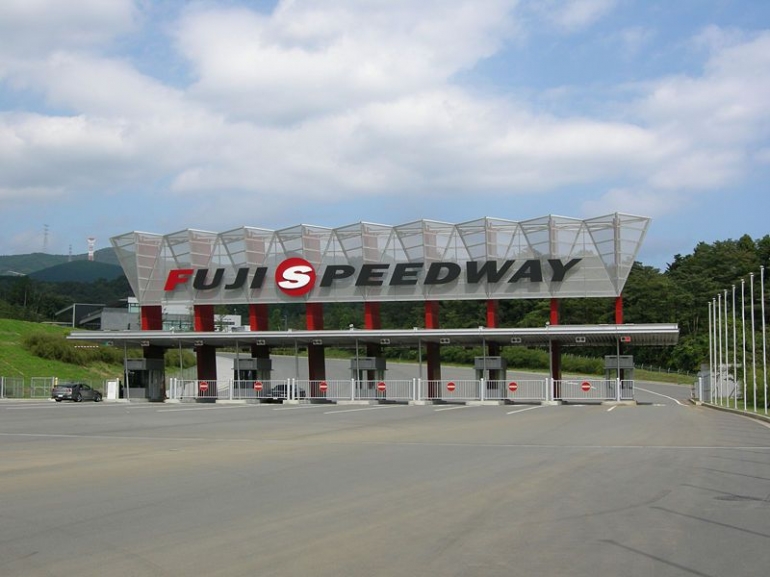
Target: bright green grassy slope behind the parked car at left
x=16, y=361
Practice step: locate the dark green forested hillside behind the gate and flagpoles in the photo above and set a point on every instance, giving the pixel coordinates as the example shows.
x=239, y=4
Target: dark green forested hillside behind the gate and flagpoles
x=680, y=294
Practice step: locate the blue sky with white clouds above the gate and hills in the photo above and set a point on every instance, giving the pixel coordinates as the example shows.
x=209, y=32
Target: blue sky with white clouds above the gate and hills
x=157, y=116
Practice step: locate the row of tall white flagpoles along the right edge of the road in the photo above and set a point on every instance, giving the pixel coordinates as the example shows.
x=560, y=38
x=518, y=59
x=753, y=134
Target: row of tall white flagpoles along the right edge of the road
x=733, y=357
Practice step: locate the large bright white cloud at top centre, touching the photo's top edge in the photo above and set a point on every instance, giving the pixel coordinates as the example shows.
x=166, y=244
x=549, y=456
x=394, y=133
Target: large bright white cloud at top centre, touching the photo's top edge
x=311, y=58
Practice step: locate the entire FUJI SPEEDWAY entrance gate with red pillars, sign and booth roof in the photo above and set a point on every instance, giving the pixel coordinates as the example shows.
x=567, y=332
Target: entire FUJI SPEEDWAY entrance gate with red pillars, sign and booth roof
x=488, y=259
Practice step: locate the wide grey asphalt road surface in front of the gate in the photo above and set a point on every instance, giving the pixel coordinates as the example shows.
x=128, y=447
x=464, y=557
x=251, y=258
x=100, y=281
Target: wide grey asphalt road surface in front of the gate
x=663, y=489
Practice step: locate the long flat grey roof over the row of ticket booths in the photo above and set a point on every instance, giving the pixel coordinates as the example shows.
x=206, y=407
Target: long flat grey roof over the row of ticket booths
x=567, y=335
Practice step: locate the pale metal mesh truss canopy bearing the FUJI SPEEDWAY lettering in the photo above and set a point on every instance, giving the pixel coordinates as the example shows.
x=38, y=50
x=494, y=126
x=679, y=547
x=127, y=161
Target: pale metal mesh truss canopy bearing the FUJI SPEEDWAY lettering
x=548, y=257
